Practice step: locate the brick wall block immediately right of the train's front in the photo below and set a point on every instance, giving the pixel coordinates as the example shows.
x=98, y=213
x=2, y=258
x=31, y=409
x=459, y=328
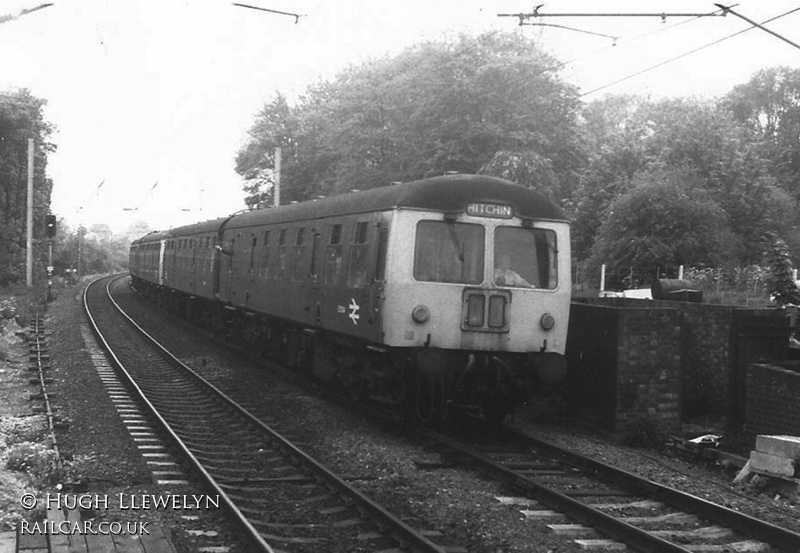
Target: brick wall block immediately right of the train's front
x=625, y=366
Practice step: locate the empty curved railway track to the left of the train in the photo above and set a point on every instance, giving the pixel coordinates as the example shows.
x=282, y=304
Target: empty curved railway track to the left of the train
x=281, y=497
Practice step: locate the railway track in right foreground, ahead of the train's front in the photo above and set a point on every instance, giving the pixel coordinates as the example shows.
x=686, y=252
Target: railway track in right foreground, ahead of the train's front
x=603, y=507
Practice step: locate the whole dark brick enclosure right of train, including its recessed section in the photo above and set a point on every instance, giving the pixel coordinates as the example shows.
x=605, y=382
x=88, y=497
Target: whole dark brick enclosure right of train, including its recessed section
x=702, y=349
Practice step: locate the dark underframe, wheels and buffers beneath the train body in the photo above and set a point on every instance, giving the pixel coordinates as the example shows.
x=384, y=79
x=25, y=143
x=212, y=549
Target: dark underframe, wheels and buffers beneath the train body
x=426, y=384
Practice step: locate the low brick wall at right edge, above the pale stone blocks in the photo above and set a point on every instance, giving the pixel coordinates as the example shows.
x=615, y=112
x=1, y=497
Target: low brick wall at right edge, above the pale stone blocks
x=773, y=400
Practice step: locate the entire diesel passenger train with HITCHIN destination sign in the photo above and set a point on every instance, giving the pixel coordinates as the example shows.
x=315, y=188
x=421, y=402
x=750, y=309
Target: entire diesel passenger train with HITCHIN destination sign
x=449, y=292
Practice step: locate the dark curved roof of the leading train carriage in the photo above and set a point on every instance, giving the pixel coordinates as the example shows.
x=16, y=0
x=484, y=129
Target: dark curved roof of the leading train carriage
x=449, y=193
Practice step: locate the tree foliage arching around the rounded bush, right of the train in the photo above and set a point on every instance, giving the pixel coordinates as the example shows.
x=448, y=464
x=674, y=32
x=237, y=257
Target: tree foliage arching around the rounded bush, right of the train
x=628, y=138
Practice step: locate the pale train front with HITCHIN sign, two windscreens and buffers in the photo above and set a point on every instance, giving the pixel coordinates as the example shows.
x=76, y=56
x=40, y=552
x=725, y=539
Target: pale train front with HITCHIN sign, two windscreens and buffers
x=491, y=305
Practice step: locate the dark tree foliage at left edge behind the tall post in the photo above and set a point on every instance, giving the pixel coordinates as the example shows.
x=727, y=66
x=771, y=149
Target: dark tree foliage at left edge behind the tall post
x=21, y=119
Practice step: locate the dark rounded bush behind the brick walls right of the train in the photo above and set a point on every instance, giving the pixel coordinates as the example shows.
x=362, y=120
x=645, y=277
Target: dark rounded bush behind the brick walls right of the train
x=665, y=221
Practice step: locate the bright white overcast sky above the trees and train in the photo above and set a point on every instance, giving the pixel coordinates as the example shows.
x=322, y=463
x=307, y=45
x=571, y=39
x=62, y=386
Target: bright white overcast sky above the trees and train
x=164, y=91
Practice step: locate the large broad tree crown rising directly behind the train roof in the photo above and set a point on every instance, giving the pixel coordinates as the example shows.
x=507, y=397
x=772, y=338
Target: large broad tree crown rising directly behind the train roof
x=491, y=103
